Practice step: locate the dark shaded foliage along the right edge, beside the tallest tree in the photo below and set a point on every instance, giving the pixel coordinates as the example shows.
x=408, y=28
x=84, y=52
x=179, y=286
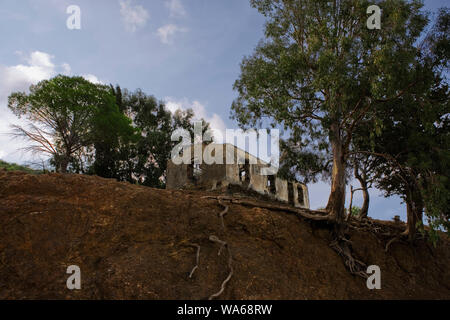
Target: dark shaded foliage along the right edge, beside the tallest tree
x=413, y=144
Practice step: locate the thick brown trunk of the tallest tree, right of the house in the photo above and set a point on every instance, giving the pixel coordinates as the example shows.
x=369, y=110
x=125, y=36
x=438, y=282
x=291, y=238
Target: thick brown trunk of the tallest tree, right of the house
x=336, y=201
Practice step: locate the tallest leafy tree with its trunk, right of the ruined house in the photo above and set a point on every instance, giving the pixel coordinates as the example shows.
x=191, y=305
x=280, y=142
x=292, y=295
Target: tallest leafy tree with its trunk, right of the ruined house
x=322, y=74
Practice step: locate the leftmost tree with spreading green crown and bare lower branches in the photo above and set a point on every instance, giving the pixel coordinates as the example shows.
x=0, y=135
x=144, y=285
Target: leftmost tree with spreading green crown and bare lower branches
x=65, y=114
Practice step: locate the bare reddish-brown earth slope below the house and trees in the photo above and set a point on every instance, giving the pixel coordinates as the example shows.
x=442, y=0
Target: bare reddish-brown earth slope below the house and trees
x=133, y=242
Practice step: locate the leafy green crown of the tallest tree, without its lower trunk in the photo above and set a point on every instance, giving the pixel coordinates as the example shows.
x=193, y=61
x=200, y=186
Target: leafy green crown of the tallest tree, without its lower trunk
x=320, y=59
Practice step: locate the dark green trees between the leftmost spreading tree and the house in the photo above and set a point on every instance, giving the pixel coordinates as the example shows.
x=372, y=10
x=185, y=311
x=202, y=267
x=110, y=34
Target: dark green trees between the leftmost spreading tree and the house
x=139, y=155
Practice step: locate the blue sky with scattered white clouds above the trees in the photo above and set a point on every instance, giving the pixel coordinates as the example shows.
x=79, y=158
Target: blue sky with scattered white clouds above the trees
x=186, y=52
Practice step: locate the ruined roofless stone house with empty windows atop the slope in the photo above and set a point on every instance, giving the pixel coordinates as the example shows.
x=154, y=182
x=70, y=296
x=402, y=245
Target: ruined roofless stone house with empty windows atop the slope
x=244, y=170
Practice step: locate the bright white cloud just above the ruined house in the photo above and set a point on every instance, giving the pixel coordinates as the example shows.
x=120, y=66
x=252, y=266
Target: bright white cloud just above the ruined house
x=216, y=123
